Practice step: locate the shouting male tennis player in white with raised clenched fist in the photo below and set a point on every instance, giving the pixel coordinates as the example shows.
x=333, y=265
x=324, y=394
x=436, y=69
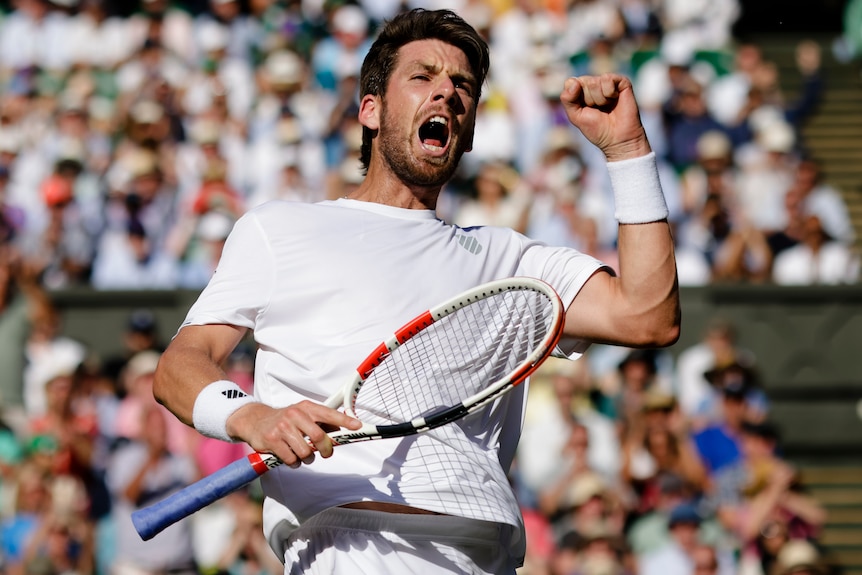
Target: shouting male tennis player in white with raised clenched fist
x=320, y=284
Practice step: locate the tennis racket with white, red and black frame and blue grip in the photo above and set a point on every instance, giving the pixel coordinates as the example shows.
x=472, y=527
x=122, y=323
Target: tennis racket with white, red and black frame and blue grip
x=443, y=365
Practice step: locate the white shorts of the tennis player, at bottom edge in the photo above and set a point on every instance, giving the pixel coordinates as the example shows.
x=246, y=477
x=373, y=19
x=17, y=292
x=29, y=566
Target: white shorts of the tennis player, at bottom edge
x=359, y=541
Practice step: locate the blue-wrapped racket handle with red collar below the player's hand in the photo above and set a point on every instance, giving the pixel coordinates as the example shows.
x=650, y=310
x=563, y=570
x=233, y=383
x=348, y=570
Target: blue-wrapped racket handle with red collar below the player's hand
x=152, y=520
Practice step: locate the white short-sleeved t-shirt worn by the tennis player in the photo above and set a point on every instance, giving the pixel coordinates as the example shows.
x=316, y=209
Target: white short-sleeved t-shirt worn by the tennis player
x=322, y=285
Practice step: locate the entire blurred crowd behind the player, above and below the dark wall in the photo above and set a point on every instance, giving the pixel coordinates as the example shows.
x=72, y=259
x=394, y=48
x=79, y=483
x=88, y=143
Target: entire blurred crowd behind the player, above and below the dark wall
x=133, y=136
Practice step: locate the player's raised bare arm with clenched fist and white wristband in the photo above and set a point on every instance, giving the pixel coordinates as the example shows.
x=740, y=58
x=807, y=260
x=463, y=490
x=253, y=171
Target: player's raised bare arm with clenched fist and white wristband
x=640, y=307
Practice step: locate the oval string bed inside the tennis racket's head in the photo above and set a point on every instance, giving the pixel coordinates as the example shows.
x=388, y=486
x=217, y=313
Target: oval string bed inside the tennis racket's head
x=456, y=357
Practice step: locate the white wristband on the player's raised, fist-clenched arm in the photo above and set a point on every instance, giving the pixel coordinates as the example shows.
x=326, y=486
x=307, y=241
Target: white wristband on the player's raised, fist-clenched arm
x=638, y=198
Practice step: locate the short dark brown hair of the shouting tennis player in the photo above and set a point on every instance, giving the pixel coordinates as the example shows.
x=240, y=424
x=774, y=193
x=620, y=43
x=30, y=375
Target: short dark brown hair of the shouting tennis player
x=411, y=26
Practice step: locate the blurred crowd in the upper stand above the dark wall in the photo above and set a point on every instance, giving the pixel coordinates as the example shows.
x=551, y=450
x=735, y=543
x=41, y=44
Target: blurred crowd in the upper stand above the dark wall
x=130, y=141
